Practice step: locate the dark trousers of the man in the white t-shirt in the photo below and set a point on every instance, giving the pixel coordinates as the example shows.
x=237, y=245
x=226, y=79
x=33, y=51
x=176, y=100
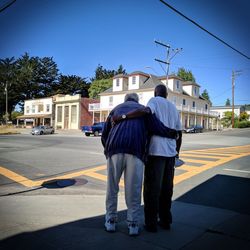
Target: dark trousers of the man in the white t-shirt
x=158, y=189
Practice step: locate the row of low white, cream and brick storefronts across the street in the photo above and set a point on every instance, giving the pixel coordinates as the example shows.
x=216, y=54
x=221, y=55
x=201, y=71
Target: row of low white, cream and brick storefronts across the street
x=59, y=111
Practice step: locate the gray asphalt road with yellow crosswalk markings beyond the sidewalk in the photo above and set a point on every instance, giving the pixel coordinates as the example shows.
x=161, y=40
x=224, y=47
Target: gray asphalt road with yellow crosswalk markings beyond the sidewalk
x=32, y=164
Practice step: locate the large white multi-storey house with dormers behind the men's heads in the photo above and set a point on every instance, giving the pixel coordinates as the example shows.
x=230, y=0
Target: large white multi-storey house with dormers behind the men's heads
x=193, y=108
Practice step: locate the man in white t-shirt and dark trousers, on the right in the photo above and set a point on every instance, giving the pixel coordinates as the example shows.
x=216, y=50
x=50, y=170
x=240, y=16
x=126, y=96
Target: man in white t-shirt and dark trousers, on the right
x=159, y=169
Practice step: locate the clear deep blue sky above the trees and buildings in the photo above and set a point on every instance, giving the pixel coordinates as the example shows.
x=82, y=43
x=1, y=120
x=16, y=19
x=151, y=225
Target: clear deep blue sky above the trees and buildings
x=80, y=34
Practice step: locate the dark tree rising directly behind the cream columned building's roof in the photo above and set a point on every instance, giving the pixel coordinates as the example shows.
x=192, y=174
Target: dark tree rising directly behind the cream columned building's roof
x=71, y=85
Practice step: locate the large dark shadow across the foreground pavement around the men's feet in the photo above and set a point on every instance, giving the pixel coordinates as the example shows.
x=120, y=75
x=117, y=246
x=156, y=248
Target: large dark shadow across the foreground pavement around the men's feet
x=226, y=192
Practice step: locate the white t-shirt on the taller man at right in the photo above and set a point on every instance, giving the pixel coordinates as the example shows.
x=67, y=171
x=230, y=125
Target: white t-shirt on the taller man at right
x=167, y=113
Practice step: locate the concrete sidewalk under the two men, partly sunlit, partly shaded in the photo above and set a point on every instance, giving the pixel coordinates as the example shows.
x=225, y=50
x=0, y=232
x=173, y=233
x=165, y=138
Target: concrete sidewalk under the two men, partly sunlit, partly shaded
x=76, y=222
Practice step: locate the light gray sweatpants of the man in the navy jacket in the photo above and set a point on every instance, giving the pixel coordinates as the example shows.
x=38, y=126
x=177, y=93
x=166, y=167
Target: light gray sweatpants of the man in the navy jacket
x=133, y=175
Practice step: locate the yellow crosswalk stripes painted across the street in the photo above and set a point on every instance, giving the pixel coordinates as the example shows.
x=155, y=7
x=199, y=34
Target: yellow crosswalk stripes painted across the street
x=222, y=155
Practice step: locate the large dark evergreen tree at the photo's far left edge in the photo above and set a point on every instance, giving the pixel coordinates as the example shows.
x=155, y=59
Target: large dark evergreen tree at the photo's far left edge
x=25, y=78
